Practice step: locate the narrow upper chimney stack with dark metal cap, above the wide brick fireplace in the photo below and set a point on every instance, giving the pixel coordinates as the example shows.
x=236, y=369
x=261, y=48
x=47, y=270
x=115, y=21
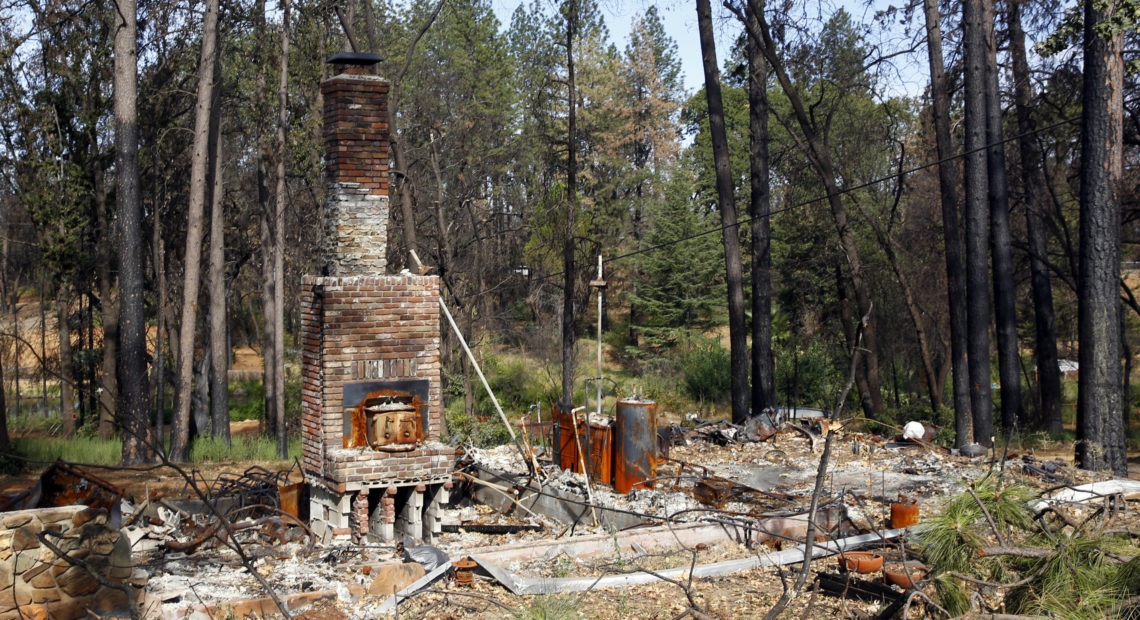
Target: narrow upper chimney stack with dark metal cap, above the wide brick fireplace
x=356, y=137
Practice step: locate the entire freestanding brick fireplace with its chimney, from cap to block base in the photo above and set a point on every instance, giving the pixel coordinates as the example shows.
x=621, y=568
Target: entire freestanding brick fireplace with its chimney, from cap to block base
x=371, y=377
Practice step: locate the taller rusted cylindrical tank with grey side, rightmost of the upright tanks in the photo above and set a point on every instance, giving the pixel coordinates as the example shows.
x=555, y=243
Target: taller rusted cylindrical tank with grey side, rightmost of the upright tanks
x=637, y=445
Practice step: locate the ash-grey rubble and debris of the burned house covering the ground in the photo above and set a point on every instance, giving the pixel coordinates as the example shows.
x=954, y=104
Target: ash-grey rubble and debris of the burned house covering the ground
x=719, y=533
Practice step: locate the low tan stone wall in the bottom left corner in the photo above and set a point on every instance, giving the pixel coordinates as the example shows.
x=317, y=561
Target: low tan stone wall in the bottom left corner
x=37, y=583
